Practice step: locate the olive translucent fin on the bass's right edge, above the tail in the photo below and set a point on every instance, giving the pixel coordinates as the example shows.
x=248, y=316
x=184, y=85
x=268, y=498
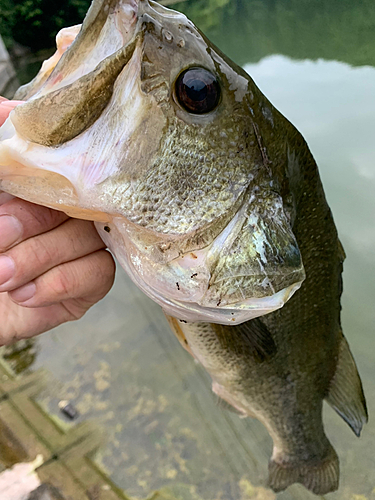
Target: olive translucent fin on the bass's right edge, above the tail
x=346, y=393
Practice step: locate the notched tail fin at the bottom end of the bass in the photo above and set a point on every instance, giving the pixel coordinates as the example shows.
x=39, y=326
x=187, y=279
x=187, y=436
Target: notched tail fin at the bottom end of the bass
x=320, y=477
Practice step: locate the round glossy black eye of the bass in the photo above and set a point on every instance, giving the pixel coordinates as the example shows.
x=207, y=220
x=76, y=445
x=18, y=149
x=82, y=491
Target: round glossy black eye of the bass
x=198, y=91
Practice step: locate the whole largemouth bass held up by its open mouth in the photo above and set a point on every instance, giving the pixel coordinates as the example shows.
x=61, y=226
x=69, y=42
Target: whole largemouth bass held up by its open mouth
x=212, y=202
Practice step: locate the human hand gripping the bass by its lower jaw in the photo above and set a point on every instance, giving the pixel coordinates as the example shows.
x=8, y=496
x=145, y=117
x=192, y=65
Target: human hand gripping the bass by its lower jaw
x=57, y=267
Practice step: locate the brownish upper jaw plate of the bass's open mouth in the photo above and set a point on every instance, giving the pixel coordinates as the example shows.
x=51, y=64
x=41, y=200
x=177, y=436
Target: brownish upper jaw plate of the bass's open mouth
x=78, y=90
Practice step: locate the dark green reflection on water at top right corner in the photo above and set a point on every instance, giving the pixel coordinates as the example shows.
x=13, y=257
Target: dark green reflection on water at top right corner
x=248, y=30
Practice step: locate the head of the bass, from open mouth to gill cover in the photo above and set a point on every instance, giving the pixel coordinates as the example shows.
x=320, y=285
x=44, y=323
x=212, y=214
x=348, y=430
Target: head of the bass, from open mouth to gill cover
x=139, y=123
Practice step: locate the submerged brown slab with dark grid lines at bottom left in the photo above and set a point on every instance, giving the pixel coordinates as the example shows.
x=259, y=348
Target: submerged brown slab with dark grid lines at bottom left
x=36, y=448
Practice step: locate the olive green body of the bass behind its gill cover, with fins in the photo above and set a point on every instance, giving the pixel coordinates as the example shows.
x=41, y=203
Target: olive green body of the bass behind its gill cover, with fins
x=279, y=368
